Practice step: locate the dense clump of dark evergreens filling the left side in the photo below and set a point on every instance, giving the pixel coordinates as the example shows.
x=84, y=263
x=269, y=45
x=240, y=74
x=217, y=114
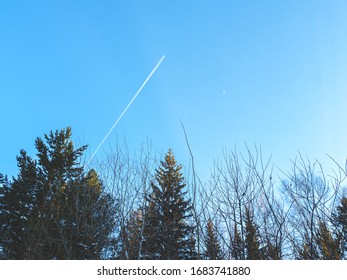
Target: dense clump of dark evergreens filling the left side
x=52, y=210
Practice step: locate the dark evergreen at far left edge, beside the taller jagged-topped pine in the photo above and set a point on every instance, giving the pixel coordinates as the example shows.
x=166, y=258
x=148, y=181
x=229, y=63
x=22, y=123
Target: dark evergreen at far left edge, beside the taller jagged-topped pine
x=18, y=208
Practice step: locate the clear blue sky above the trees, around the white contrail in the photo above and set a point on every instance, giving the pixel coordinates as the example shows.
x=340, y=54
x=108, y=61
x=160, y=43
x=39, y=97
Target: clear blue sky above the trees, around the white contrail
x=270, y=73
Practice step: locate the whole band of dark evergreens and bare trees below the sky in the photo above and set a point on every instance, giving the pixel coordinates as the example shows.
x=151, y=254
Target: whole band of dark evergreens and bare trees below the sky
x=141, y=207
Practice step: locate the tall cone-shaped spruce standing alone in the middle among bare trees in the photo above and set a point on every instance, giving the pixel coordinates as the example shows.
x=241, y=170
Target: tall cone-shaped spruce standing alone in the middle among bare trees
x=167, y=233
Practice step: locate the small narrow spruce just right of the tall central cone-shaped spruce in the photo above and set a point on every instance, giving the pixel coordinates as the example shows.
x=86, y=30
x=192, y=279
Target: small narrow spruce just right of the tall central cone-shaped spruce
x=212, y=246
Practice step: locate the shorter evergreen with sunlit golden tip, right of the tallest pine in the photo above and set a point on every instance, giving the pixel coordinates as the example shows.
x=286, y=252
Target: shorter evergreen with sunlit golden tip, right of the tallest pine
x=85, y=219
